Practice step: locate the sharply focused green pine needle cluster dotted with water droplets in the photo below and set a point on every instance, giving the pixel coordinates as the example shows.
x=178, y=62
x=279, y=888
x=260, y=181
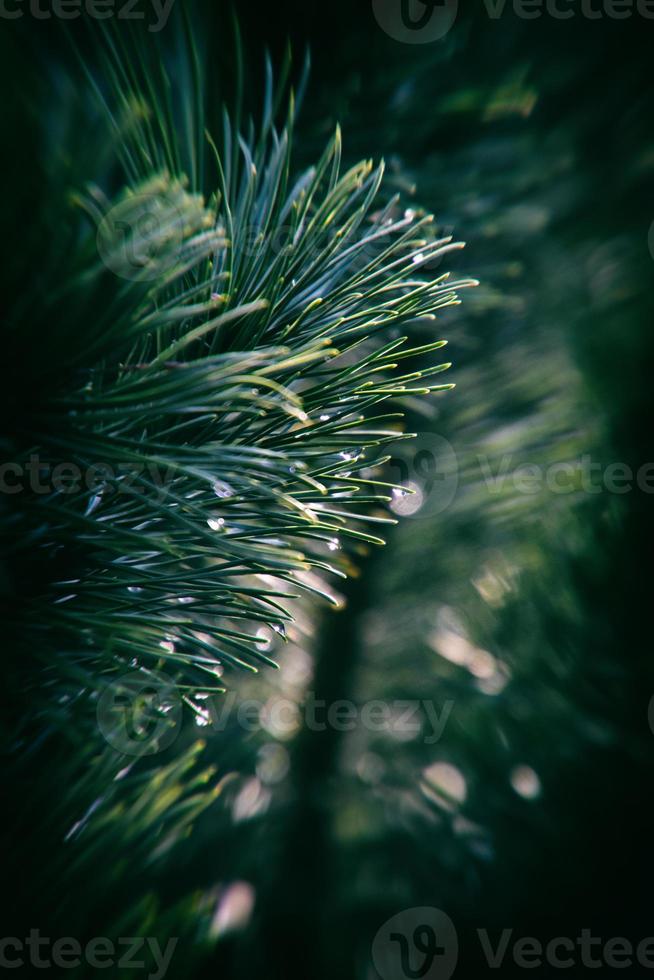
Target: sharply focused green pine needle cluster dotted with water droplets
x=224, y=359
